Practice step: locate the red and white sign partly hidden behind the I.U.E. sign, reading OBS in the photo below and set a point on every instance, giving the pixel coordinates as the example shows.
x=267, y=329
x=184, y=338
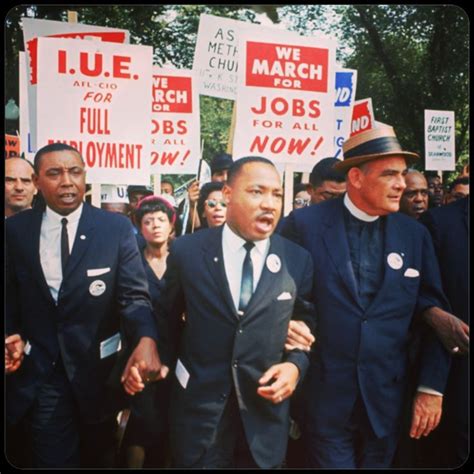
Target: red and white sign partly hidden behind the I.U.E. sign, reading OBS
x=175, y=122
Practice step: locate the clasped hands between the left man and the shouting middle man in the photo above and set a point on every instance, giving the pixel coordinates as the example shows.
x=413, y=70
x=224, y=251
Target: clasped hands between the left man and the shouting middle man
x=144, y=365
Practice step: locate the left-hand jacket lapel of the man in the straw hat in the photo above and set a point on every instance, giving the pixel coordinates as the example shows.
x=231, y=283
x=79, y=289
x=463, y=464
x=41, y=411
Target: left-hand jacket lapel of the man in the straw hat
x=335, y=239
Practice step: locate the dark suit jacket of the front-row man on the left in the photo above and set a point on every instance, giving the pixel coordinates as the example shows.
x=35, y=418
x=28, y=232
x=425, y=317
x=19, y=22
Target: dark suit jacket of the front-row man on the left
x=104, y=249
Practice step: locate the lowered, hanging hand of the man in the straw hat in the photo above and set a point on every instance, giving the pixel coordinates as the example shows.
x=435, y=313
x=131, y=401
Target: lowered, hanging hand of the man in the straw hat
x=426, y=414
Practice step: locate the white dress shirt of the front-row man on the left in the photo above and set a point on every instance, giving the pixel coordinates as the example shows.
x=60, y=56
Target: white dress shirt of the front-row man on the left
x=50, y=245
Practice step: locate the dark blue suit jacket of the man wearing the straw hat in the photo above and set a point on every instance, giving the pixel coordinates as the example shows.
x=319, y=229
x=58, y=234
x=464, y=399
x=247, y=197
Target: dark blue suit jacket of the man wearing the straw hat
x=365, y=352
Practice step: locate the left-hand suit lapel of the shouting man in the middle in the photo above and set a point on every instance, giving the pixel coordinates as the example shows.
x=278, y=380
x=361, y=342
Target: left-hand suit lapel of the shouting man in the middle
x=214, y=259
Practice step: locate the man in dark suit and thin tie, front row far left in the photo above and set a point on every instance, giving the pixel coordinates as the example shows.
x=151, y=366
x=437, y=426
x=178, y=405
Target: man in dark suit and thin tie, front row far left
x=62, y=311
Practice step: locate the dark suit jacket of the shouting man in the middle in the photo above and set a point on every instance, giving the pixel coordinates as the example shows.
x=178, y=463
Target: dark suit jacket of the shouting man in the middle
x=223, y=351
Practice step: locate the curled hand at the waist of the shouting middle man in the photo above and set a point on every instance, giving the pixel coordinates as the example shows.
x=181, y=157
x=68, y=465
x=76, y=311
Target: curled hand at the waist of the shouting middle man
x=285, y=377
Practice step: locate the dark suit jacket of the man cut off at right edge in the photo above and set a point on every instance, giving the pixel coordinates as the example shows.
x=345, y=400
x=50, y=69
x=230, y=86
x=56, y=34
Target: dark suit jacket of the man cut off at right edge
x=448, y=226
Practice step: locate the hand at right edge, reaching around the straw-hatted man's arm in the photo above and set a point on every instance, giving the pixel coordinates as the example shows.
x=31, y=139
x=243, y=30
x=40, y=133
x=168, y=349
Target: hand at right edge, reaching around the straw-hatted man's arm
x=452, y=331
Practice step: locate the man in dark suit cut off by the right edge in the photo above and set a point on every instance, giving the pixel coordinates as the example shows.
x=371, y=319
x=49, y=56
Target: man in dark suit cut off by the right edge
x=448, y=226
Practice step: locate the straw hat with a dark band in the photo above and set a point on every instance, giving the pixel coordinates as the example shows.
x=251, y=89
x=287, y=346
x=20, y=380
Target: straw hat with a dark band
x=379, y=142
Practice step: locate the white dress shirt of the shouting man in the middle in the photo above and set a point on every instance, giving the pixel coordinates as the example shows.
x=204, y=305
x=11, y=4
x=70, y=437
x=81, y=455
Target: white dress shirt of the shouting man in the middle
x=234, y=255
